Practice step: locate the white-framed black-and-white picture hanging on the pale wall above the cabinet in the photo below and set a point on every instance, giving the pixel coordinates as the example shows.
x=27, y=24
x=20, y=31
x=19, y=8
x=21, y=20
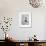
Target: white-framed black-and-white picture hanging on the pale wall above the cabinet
x=25, y=19
